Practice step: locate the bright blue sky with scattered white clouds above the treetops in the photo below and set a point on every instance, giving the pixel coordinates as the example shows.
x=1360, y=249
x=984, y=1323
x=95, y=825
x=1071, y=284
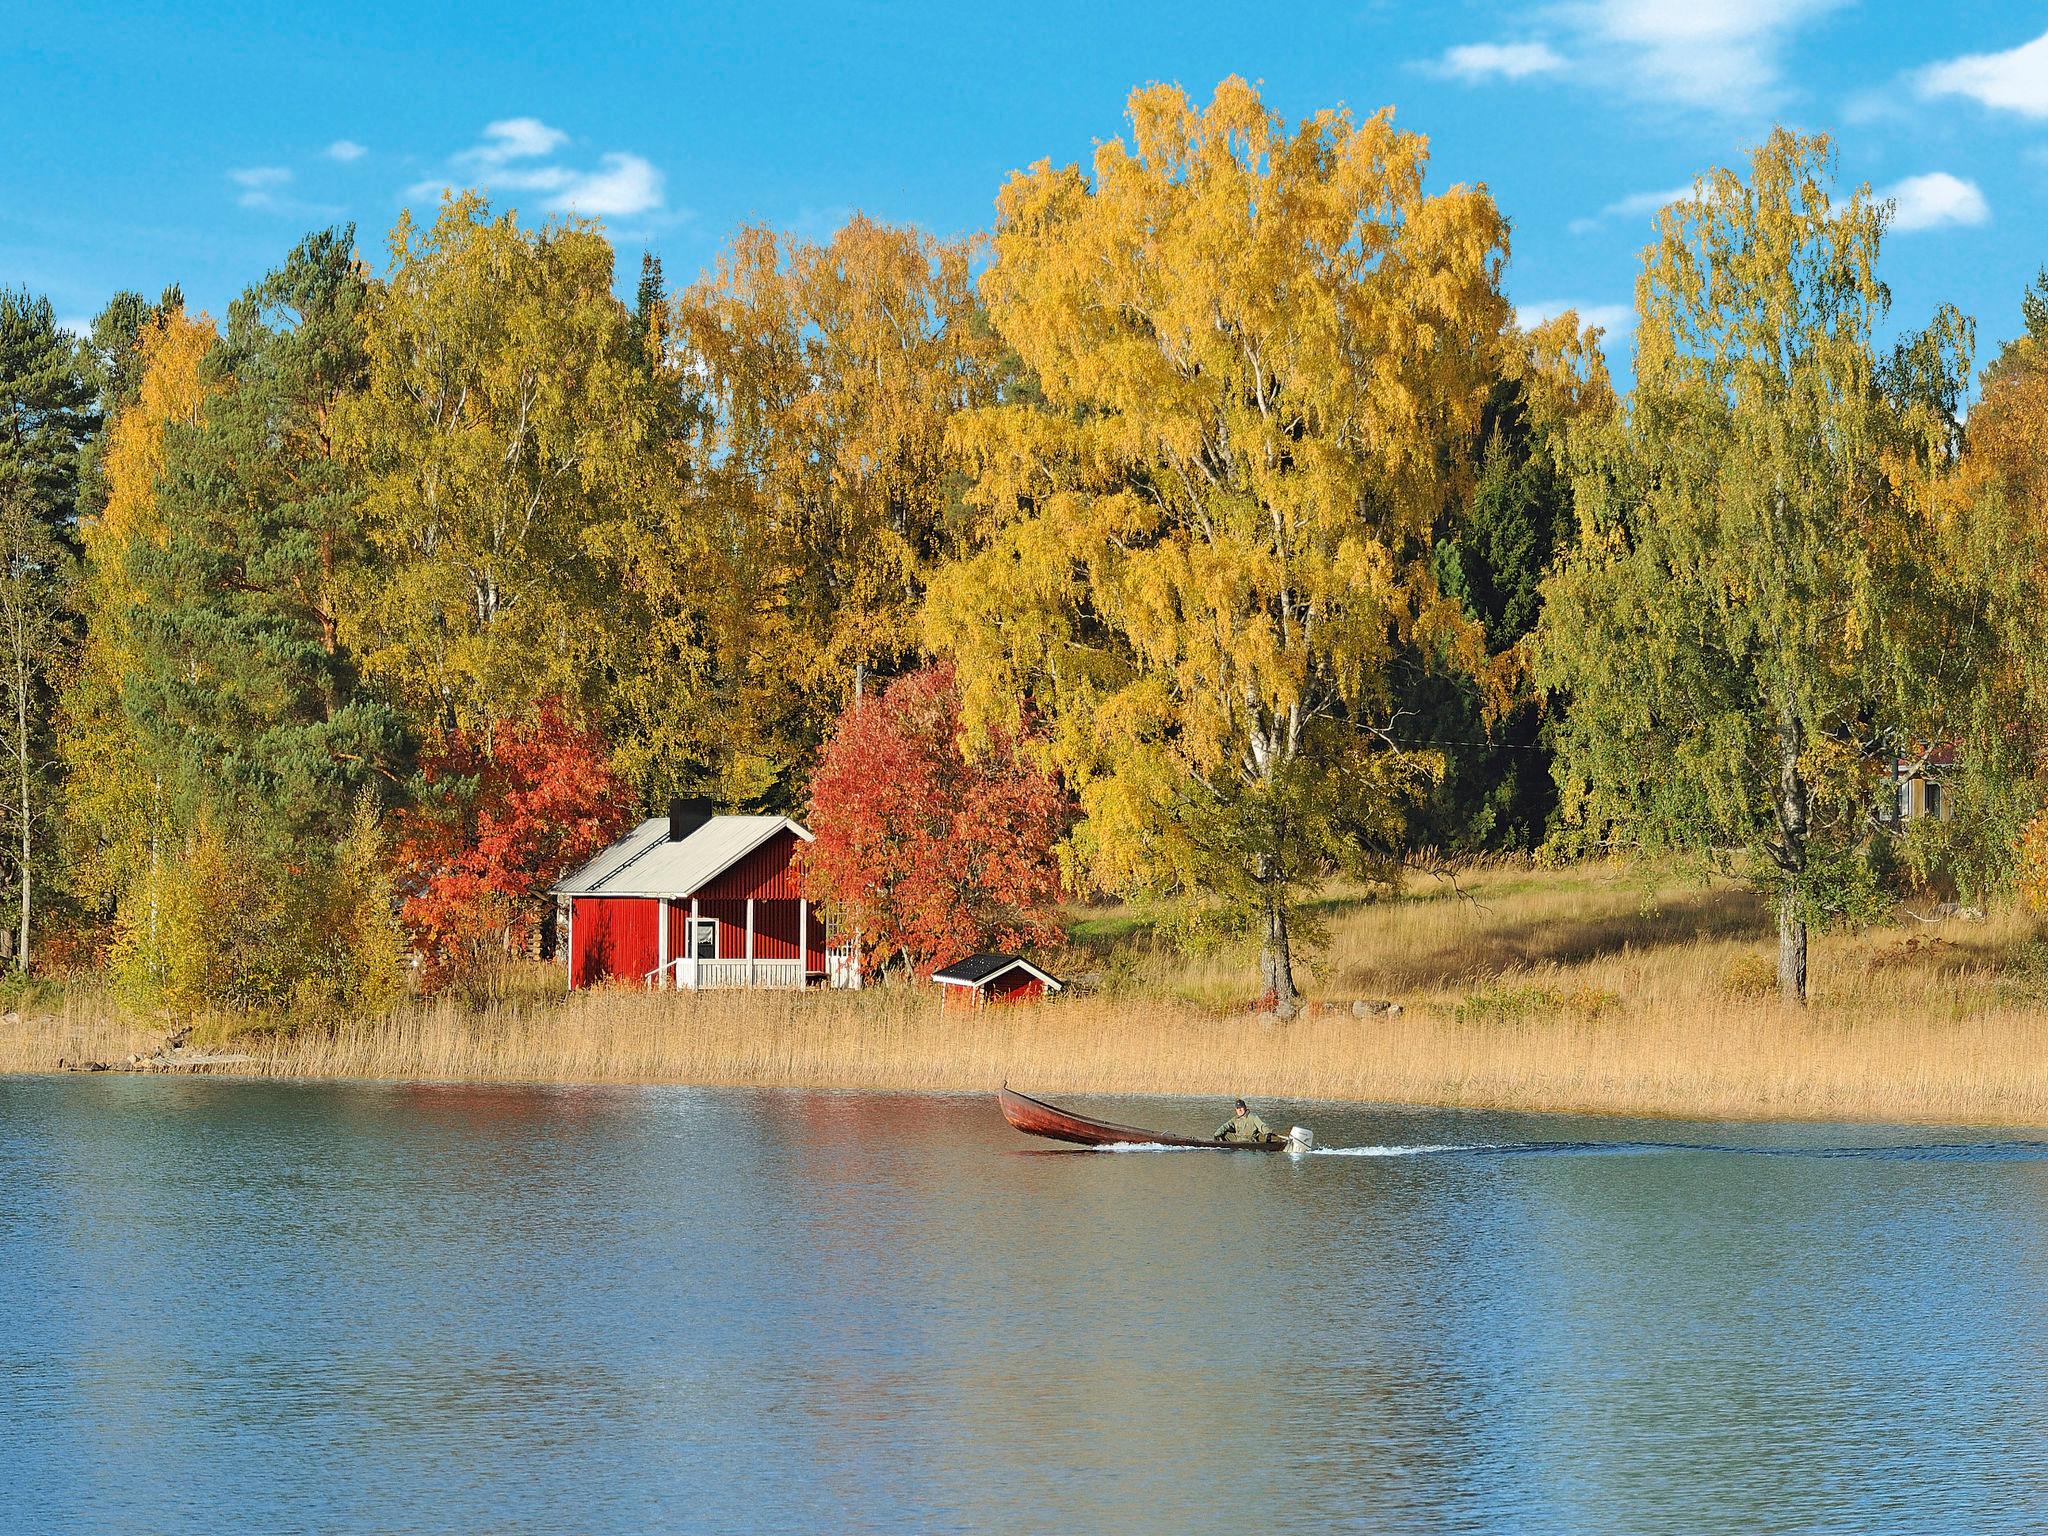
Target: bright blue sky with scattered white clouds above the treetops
x=196, y=142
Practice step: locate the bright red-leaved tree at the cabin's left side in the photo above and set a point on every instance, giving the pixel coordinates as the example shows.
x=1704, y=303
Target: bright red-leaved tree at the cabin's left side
x=497, y=828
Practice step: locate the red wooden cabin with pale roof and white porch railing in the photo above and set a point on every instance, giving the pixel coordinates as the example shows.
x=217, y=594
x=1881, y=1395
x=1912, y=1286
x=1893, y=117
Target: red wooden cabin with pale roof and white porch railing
x=699, y=900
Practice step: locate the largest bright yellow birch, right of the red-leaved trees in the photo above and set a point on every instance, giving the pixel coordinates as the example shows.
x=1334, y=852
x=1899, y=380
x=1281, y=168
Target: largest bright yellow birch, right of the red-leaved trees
x=1263, y=351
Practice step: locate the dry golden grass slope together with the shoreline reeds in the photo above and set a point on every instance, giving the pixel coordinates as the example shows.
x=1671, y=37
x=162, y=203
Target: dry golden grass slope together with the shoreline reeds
x=1549, y=990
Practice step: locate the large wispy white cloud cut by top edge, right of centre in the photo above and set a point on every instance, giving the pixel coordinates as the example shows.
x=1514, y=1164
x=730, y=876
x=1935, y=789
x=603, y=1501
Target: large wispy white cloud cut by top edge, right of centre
x=1719, y=56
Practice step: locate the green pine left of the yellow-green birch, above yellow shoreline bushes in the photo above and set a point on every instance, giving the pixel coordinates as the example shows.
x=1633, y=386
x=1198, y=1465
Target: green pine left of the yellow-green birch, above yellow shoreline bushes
x=239, y=675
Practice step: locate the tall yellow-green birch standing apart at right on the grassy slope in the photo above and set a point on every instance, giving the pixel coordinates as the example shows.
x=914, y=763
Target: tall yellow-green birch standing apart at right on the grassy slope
x=1742, y=615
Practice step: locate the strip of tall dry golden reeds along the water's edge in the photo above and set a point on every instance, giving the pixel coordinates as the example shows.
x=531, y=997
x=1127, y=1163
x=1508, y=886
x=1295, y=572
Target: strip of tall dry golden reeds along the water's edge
x=1742, y=1062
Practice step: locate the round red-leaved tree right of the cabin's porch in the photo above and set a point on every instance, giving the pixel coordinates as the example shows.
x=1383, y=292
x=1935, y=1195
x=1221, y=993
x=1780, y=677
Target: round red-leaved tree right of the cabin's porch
x=927, y=853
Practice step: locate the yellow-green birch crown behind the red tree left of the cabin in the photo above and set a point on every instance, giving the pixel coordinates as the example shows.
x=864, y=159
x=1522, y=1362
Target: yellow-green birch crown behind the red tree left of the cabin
x=503, y=441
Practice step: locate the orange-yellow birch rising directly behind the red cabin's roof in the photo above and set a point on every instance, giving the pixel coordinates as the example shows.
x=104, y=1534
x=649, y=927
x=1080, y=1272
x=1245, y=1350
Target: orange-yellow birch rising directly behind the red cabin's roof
x=828, y=376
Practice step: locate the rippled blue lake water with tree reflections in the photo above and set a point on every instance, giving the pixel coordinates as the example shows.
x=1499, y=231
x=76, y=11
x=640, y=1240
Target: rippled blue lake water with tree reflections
x=286, y=1308
